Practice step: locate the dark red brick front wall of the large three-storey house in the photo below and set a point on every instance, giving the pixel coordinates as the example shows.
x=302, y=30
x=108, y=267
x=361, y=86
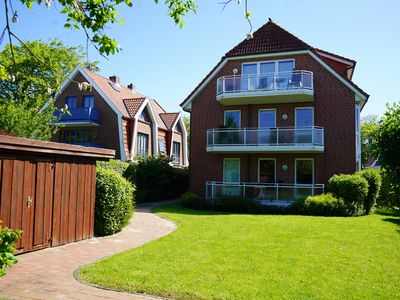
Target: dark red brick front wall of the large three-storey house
x=334, y=109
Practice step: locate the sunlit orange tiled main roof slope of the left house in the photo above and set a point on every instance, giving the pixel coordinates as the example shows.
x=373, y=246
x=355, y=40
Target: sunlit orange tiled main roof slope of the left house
x=115, y=96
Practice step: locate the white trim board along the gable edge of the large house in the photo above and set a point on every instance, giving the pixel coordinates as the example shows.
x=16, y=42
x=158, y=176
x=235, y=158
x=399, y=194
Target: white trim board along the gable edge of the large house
x=359, y=97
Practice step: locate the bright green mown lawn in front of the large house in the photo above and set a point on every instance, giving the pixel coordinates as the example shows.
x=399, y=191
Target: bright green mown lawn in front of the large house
x=231, y=256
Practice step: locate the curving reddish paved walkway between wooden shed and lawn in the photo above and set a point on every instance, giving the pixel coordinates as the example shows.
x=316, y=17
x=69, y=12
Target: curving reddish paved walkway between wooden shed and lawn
x=48, y=273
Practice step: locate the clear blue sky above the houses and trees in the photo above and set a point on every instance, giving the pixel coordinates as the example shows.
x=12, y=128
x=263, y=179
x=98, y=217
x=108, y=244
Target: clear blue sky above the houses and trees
x=166, y=63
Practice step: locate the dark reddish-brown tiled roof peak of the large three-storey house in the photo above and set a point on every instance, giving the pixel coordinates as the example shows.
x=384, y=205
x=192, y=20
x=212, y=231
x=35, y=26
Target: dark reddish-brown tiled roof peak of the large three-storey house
x=269, y=38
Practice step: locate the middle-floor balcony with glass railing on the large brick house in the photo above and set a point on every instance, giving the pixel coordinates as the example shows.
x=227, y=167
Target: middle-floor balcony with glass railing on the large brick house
x=284, y=139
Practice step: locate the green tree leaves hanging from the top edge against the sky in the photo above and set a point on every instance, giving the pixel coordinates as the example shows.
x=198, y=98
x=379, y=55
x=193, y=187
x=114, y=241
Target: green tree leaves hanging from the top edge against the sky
x=95, y=16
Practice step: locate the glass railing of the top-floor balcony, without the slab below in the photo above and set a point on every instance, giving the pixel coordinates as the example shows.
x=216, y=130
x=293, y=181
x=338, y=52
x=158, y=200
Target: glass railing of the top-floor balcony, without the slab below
x=245, y=84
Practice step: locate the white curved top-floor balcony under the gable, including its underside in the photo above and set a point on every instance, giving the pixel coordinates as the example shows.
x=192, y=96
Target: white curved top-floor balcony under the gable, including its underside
x=284, y=87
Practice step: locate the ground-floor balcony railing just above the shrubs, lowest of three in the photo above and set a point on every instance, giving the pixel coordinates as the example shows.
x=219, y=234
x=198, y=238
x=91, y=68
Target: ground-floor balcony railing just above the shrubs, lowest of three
x=264, y=193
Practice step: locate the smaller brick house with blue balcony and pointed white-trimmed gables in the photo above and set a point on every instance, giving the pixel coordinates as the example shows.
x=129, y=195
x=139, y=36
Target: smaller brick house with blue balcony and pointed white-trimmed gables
x=106, y=114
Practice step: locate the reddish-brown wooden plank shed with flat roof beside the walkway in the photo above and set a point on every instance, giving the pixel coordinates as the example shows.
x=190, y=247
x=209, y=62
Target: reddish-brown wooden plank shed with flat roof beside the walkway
x=47, y=190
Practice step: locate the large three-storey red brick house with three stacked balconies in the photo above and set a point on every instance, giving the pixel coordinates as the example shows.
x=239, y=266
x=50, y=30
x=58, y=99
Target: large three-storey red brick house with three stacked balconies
x=274, y=119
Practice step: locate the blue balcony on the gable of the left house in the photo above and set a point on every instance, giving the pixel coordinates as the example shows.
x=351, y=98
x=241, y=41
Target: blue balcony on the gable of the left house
x=81, y=116
